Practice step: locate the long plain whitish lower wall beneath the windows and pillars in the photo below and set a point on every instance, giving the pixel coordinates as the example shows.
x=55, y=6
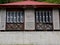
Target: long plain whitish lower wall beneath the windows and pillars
x=33, y=38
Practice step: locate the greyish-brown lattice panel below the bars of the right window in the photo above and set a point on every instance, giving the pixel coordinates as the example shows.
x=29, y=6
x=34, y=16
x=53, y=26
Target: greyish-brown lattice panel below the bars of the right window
x=40, y=26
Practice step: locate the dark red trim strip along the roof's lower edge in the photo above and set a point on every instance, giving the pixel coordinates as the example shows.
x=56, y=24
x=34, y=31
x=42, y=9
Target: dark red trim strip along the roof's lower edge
x=27, y=6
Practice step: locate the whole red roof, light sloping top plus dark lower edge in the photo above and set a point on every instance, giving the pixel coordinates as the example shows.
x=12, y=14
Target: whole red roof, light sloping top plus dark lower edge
x=30, y=3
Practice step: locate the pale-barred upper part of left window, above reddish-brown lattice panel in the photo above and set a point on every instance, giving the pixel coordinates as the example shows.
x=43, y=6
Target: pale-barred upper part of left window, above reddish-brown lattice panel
x=14, y=17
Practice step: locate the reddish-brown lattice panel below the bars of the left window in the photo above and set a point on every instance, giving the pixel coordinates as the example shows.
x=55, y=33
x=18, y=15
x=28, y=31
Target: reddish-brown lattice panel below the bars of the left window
x=14, y=26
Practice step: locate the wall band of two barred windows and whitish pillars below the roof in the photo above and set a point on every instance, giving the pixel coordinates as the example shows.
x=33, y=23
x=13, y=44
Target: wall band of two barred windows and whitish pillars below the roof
x=30, y=19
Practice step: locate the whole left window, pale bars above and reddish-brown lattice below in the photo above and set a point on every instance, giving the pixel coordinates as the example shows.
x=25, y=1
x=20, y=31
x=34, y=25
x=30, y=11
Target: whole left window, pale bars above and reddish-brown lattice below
x=15, y=20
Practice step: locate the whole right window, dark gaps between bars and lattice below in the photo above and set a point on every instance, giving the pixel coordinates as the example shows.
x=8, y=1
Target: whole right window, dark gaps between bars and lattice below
x=44, y=20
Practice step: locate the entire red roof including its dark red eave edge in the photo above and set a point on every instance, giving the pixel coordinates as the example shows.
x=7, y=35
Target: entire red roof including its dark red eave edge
x=29, y=4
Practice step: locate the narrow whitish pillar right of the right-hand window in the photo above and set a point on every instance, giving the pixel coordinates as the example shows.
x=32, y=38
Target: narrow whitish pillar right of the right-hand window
x=56, y=19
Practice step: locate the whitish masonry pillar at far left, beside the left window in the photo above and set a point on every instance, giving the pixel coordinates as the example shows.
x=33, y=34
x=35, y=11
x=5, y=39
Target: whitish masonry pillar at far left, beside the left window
x=2, y=19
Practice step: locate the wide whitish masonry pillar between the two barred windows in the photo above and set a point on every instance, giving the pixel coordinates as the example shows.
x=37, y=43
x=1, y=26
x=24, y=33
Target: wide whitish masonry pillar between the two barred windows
x=29, y=20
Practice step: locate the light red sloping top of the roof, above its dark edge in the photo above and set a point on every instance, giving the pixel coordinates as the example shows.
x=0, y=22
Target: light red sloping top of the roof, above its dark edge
x=29, y=3
